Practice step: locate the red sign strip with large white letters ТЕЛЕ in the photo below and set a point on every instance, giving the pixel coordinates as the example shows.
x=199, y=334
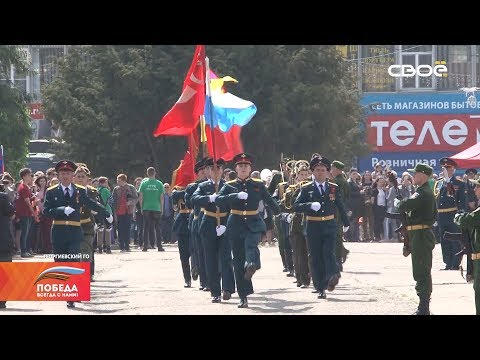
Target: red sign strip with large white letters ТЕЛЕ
x=422, y=133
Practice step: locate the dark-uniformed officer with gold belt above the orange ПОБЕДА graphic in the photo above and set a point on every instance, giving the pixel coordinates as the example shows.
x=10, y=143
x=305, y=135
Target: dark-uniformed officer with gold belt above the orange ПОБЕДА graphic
x=63, y=202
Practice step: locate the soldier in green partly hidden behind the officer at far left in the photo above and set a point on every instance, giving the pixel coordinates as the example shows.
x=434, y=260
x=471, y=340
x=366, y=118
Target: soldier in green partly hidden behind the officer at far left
x=87, y=219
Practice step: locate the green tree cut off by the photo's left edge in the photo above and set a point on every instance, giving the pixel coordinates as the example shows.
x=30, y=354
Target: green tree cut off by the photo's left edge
x=14, y=117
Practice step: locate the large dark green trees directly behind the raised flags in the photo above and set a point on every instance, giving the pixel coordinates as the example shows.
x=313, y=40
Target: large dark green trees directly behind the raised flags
x=107, y=100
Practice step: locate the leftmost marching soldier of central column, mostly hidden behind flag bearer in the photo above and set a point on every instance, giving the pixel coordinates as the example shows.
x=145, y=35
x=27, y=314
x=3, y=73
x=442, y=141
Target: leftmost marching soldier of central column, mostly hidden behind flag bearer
x=180, y=228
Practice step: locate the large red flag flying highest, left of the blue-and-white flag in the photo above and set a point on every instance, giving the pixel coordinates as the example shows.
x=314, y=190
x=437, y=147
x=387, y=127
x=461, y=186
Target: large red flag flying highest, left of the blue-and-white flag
x=184, y=116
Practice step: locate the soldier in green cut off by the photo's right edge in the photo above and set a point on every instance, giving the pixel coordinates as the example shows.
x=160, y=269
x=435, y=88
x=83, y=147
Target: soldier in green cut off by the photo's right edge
x=470, y=221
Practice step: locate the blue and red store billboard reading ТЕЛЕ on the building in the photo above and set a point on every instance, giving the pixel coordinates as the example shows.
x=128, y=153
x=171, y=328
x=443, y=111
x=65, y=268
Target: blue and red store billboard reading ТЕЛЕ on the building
x=403, y=129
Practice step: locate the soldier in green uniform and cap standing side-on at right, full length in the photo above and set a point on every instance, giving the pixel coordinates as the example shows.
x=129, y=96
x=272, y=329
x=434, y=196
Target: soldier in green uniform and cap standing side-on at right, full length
x=421, y=213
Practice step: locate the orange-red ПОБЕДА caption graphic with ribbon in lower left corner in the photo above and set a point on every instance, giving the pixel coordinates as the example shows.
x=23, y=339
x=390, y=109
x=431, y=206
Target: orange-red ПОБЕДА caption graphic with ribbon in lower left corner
x=45, y=281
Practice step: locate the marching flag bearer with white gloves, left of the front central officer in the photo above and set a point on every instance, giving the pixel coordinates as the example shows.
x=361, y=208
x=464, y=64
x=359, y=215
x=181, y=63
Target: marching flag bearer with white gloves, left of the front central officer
x=218, y=252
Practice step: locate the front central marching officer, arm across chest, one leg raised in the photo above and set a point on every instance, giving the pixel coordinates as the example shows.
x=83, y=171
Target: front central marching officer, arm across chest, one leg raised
x=245, y=225
